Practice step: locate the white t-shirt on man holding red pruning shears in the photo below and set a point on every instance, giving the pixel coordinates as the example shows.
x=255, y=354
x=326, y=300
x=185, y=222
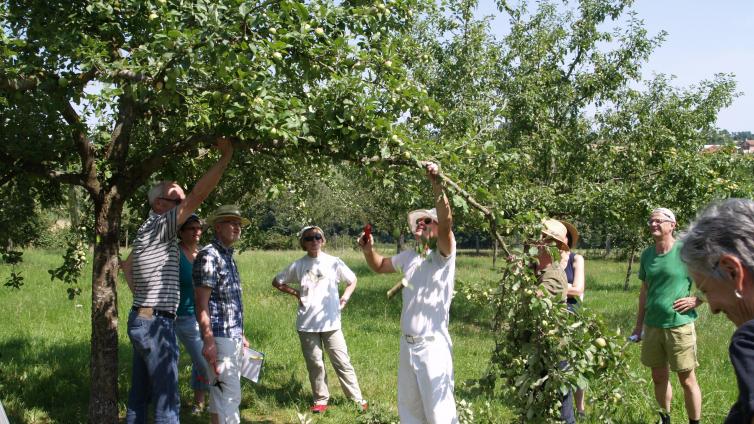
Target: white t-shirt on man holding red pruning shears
x=427, y=297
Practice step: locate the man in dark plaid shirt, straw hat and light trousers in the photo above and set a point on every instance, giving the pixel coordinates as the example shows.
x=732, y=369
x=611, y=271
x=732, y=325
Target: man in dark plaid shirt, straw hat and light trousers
x=219, y=310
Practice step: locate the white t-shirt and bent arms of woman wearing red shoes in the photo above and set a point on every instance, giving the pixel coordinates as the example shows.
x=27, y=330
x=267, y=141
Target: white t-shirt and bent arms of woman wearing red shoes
x=317, y=279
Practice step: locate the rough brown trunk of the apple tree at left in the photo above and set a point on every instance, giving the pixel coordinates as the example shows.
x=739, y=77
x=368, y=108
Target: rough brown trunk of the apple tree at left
x=103, y=366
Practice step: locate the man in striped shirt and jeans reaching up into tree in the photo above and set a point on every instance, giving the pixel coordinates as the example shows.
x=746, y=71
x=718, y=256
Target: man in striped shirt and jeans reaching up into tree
x=152, y=275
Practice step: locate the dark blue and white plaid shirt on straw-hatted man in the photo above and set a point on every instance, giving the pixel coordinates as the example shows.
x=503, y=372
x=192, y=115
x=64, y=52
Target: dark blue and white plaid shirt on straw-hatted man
x=214, y=267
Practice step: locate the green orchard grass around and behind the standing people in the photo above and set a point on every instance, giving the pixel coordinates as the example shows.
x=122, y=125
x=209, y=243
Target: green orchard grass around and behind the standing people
x=44, y=346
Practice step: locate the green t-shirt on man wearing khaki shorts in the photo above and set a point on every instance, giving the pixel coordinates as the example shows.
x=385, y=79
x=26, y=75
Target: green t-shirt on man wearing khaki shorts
x=667, y=280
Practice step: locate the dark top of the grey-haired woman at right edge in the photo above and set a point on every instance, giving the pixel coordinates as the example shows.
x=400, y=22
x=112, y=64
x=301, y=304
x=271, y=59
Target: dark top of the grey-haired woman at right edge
x=741, y=352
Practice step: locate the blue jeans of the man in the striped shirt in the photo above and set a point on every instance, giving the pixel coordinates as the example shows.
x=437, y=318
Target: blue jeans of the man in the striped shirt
x=154, y=378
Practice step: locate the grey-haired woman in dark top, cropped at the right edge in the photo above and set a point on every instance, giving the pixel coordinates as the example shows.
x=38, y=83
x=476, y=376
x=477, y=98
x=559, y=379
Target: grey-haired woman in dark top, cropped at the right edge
x=718, y=250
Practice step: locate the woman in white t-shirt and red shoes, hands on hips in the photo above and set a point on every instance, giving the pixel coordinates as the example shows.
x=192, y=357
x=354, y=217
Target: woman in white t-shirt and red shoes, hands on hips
x=313, y=280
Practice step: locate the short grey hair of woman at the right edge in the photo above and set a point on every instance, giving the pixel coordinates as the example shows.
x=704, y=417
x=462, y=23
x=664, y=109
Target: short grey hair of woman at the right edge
x=725, y=227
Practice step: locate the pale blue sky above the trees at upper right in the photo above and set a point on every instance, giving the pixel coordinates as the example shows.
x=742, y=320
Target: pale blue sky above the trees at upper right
x=704, y=37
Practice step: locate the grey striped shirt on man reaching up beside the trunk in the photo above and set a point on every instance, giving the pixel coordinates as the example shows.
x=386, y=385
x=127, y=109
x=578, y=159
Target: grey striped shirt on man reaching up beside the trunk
x=155, y=262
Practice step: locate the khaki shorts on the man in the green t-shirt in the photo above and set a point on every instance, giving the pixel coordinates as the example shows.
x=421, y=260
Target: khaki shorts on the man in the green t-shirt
x=676, y=347
